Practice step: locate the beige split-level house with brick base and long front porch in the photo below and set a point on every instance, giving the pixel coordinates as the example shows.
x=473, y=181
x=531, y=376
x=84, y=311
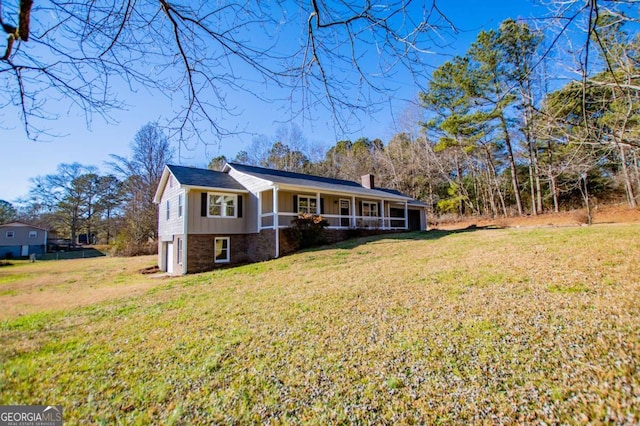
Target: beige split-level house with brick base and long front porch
x=209, y=218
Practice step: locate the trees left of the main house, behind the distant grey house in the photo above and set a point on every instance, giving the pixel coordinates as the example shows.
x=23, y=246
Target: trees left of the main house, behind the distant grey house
x=114, y=208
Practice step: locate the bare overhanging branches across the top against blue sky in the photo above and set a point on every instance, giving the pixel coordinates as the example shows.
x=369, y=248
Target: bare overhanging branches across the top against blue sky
x=340, y=56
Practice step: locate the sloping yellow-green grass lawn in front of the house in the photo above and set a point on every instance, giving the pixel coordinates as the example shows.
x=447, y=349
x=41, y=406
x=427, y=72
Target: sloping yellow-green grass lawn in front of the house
x=482, y=326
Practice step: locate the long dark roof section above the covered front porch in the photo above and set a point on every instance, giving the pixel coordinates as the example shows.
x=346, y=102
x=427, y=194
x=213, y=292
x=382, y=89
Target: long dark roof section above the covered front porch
x=320, y=183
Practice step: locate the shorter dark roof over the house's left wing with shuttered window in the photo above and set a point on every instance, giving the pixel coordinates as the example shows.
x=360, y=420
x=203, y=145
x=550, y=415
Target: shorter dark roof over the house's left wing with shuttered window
x=197, y=178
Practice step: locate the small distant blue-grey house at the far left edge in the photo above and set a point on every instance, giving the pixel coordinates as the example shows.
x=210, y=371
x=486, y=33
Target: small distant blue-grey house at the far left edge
x=19, y=239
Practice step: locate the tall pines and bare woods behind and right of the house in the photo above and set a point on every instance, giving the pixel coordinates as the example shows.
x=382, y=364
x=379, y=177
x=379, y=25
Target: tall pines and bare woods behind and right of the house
x=495, y=137
